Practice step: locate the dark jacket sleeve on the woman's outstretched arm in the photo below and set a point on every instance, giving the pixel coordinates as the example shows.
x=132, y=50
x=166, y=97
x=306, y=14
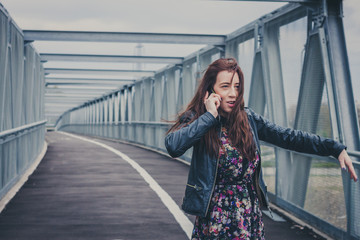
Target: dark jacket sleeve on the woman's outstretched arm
x=296, y=140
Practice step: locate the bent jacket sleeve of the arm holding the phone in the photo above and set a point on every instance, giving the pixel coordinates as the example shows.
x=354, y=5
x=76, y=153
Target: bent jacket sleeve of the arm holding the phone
x=182, y=139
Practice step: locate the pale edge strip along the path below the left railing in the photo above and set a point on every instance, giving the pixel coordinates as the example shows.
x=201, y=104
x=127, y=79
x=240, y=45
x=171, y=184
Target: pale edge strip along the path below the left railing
x=9, y=195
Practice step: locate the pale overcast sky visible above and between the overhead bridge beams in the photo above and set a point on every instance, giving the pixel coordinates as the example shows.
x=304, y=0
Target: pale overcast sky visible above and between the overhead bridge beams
x=164, y=16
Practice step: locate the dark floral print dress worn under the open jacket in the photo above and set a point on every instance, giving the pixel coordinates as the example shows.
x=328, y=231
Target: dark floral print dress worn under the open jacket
x=234, y=211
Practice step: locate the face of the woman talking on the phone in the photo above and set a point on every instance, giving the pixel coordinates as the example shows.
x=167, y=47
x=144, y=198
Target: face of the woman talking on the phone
x=228, y=89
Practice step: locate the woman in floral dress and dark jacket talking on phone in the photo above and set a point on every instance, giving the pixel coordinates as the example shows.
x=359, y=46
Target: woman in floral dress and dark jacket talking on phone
x=225, y=188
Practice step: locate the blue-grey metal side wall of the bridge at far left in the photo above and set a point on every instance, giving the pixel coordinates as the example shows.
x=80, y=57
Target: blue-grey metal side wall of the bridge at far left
x=22, y=128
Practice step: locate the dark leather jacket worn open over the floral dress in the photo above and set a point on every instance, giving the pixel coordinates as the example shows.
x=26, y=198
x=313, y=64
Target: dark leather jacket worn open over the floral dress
x=203, y=168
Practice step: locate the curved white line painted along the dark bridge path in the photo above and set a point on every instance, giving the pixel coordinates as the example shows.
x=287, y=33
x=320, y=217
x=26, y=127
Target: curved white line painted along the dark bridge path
x=178, y=214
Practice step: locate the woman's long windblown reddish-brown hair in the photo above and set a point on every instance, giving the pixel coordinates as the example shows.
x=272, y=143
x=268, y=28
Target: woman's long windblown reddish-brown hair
x=238, y=126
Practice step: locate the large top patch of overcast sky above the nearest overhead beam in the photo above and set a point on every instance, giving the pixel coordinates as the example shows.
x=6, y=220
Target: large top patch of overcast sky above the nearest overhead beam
x=185, y=16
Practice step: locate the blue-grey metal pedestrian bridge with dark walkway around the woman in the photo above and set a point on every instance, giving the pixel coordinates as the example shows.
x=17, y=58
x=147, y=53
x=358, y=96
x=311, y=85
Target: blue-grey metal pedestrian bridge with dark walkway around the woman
x=92, y=148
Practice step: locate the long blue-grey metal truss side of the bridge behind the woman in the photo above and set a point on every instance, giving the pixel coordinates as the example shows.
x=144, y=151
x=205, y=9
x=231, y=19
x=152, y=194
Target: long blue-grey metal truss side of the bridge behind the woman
x=267, y=50
